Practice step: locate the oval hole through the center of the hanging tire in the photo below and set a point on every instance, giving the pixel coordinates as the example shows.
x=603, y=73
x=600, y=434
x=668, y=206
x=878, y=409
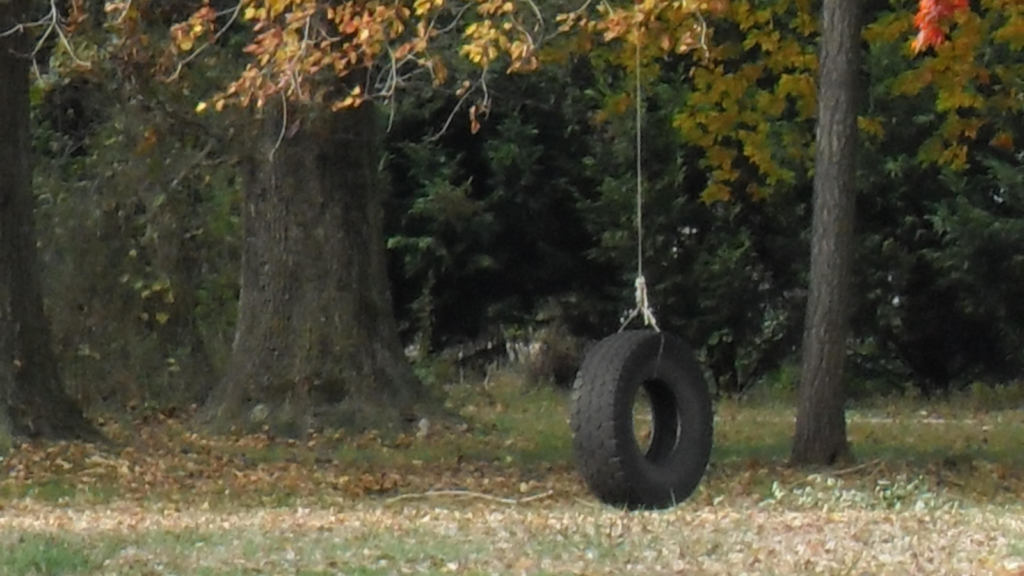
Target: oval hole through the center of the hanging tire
x=656, y=421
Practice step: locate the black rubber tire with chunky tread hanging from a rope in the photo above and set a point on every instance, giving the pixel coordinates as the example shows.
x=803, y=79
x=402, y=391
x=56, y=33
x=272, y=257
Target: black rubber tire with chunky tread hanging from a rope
x=607, y=450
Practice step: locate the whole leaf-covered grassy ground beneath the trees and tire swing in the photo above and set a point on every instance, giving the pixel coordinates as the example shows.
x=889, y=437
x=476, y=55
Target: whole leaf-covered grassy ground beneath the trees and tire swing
x=936, y=491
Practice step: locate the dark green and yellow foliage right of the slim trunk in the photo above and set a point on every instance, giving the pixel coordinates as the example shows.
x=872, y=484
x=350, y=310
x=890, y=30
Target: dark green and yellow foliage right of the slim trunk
x=938, y=237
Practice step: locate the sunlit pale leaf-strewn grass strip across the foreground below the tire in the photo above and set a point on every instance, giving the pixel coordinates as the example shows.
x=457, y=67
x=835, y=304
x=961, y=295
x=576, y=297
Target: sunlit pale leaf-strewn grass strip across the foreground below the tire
x=482, y=539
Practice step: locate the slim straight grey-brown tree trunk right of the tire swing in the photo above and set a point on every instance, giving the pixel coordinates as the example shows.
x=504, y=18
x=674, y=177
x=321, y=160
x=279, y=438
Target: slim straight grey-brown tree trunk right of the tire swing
x=821, y=435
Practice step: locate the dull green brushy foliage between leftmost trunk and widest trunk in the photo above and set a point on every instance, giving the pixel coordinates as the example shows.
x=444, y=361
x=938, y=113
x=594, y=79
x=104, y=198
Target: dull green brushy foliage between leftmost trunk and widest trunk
x=140, y=241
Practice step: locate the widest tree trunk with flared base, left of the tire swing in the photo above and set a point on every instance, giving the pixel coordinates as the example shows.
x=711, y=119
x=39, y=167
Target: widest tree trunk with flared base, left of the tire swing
x=317, y=340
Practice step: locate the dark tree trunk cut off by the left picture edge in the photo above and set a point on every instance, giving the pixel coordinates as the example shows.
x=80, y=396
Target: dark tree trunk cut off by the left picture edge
x=38, y=404
